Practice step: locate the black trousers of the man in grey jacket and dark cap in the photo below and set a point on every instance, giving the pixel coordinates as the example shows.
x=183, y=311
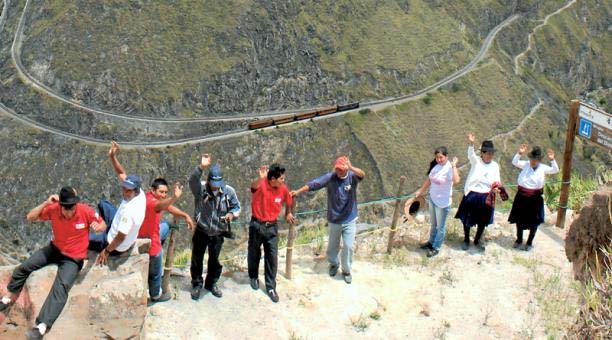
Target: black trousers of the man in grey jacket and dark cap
x=199, y=242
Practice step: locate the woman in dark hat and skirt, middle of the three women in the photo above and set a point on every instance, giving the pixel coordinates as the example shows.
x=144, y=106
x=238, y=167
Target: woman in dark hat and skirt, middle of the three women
x=482, y=180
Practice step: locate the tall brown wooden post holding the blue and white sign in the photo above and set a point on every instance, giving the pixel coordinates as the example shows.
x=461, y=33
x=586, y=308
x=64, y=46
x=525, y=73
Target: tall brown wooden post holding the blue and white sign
x=572, y=123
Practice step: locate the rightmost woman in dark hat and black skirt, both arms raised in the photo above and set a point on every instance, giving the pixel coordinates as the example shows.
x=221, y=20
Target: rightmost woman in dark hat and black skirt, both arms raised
x=528, y=206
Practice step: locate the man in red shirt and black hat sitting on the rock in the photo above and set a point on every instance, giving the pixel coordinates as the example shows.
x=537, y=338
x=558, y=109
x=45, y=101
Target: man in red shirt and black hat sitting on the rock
x=71, y=222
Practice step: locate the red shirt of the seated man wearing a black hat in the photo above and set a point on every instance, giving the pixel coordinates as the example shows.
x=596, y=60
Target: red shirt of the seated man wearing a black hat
x=71, y=236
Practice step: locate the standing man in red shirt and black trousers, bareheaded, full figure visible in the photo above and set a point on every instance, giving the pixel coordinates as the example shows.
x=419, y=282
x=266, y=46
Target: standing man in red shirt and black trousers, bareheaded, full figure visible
x=269, y=193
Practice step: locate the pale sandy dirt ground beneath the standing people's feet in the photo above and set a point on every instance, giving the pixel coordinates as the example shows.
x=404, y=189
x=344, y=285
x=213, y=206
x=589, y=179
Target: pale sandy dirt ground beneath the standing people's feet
x=458, y=295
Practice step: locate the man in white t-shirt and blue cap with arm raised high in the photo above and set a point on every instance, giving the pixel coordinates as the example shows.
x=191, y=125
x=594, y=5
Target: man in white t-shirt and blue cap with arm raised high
x=126, y=223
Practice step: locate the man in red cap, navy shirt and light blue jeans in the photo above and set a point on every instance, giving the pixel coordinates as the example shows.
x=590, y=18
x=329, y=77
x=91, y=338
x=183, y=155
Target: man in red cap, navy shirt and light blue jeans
x=341, y=185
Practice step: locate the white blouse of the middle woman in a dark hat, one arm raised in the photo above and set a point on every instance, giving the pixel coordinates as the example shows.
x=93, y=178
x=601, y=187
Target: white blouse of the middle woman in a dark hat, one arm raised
x=482, y=175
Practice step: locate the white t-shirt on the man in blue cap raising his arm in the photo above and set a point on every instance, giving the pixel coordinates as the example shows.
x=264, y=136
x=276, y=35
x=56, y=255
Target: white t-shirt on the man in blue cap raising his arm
x=128, y=220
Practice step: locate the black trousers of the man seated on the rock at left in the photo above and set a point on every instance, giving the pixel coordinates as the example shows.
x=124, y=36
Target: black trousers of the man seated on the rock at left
x=67, y=272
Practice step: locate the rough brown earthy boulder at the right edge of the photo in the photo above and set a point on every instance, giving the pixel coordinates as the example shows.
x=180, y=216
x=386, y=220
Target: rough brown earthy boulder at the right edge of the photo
x=589, y=232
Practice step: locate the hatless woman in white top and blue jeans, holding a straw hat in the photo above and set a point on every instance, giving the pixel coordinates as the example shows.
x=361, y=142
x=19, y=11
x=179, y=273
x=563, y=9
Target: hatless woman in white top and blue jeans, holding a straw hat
x=441, y=176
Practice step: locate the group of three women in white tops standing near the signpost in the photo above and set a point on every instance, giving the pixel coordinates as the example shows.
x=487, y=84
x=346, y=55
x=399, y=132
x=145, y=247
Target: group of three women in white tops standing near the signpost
x=482, y=185
